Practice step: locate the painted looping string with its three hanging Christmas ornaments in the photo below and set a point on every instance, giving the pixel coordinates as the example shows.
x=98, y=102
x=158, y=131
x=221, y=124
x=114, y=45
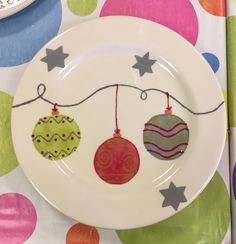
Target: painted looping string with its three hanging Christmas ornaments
x=59, y=141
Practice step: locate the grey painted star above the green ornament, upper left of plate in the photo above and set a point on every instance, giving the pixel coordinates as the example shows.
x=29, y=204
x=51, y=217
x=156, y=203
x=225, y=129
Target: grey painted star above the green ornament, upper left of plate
x=55, y=58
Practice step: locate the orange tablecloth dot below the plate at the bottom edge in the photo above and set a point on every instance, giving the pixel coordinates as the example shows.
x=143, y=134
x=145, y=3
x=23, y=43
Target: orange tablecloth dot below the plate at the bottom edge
x=82, y=234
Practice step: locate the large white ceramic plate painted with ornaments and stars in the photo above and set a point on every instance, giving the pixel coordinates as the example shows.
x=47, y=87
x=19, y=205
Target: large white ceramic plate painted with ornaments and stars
x=100, y=53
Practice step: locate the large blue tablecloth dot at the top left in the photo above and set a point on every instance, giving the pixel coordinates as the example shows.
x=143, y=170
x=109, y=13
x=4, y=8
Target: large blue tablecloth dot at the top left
x=24, y=33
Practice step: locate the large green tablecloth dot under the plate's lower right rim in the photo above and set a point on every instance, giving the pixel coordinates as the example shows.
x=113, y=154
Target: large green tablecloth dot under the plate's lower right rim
x=206, y=220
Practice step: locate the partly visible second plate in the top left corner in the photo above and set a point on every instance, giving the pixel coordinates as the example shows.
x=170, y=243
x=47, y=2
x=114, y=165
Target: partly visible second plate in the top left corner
x=10, y=7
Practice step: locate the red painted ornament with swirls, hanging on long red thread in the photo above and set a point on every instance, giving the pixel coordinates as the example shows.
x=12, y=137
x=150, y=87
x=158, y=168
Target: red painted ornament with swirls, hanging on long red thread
x=117, y=160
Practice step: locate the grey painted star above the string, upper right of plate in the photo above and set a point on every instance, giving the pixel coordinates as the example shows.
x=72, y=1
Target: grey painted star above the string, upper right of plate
x=144, y=64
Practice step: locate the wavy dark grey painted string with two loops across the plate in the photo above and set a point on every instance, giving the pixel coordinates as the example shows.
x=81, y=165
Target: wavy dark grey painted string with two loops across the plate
x=41, y=90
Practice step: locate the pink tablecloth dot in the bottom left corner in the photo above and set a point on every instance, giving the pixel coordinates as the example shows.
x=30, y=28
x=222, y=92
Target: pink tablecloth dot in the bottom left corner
x=17, y=218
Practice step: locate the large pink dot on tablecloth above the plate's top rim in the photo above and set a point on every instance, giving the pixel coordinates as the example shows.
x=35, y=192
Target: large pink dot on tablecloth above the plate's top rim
x=178, y=15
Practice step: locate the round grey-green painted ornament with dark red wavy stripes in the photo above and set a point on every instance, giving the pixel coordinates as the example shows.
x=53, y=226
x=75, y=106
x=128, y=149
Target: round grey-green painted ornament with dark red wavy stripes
x=166, y=136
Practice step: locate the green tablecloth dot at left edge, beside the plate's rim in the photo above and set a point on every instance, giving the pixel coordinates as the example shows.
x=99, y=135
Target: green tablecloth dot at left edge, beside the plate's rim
x=8, y=160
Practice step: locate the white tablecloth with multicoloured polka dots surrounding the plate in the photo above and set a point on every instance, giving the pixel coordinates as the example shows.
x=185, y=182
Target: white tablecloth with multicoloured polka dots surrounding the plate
x=25, y=217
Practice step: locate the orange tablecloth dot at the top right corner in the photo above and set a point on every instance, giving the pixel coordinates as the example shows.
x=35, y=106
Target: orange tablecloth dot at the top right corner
x=215, y=7
